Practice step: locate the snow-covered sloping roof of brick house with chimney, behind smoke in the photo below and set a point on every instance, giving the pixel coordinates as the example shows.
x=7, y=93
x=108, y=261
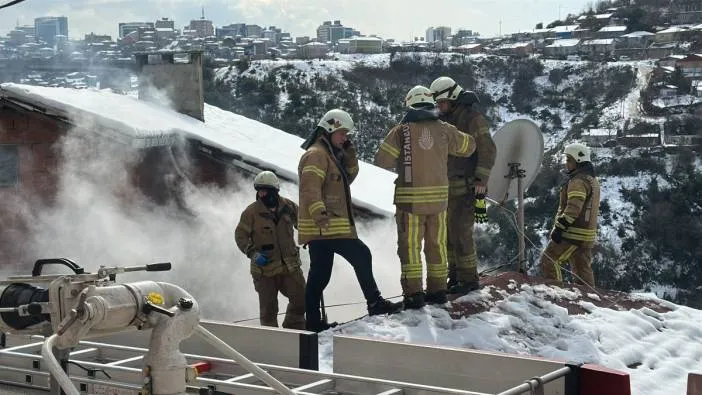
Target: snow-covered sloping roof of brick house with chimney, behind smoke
x=142, y=123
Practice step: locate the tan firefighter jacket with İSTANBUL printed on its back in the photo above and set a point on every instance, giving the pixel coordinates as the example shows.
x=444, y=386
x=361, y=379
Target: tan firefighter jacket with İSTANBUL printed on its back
x=418, y=148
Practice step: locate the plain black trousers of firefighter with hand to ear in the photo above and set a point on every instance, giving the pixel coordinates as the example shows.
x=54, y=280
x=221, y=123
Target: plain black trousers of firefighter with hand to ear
x=321, y=264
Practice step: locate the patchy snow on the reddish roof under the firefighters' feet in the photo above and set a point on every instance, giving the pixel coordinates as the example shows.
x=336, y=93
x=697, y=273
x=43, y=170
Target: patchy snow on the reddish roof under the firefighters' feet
x=657, y=350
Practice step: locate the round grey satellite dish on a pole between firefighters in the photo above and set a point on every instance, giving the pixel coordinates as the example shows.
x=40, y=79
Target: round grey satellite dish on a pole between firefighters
x=518, y=142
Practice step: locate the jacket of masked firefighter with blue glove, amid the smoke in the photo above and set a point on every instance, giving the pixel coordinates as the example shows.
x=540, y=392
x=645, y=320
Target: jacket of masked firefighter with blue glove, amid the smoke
x=263, y=230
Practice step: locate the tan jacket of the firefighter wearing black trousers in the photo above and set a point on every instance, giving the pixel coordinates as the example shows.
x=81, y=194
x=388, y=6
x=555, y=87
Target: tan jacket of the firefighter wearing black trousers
x=325, y=176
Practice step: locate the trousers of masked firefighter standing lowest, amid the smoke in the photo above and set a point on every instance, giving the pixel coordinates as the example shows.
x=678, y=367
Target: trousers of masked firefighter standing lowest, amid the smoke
x=292, y=286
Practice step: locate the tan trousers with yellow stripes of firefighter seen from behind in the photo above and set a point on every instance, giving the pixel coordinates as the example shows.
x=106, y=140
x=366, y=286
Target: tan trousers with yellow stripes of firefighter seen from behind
x=412, y=229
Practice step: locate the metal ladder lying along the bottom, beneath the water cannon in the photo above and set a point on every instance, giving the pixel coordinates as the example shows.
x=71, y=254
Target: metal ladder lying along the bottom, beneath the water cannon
x=229, y=377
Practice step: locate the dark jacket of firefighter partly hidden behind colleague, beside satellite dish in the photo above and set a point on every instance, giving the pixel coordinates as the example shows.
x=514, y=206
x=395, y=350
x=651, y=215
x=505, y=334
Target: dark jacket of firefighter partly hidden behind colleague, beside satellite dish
x=462, y=171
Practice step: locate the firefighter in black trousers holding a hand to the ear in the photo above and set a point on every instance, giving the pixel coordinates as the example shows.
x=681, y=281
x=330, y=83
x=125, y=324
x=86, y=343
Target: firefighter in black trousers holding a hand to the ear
x=326, y=221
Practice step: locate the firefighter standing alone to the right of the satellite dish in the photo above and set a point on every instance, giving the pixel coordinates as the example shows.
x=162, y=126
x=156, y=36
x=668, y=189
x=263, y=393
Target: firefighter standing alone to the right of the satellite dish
x=575, y=229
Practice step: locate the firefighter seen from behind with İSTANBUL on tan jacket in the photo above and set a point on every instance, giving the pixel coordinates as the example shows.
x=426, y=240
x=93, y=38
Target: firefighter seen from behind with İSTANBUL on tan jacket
x=418, y=148
